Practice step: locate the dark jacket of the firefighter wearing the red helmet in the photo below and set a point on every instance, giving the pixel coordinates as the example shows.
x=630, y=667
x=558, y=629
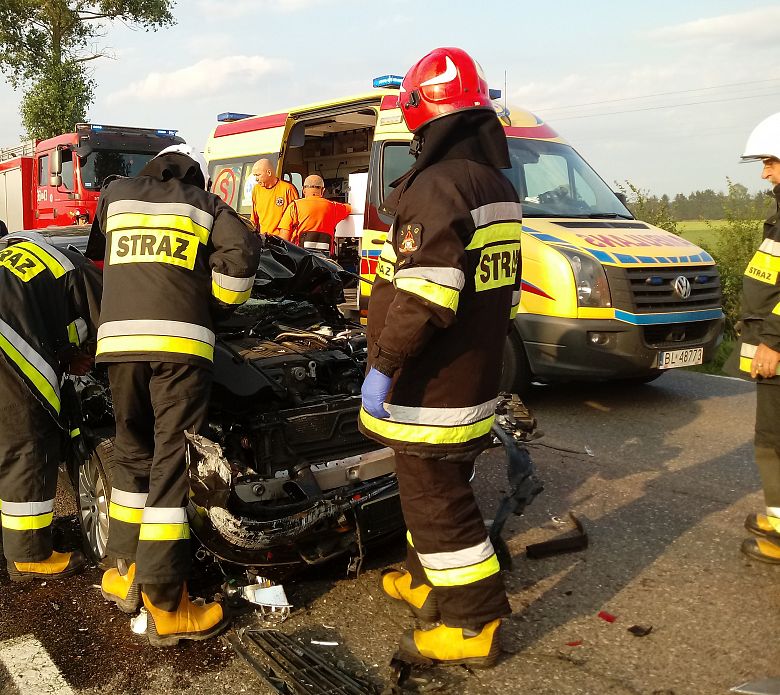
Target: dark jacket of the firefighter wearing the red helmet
x=447, y=285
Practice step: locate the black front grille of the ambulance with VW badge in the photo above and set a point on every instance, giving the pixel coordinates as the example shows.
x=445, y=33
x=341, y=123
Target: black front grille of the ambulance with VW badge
x=651, y=290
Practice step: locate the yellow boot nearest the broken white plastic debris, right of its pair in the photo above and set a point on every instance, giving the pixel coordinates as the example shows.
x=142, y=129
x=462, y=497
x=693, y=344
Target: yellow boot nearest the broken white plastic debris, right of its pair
x=189, y=621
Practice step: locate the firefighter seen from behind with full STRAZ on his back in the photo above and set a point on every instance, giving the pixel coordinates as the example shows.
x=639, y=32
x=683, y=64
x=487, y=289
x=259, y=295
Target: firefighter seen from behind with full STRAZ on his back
x=176, y=257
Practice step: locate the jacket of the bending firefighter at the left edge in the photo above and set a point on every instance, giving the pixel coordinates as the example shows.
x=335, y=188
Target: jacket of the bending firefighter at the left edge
x=49, y=304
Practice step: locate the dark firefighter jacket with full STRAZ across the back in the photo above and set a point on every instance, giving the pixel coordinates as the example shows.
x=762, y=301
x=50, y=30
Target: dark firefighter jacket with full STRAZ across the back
x=176, y=258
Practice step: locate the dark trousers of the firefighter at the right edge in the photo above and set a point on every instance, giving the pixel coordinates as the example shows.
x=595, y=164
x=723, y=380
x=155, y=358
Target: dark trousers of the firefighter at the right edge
x=767, y=444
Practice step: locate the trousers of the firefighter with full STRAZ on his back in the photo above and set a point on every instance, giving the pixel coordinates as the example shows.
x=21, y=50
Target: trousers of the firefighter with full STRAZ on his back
x=154, y=403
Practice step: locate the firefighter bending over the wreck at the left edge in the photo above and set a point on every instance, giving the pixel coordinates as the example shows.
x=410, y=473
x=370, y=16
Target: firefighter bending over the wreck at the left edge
x=49, y=304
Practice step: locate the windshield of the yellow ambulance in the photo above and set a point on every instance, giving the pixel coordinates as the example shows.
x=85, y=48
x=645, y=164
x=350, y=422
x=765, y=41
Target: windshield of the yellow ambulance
x=552, y=180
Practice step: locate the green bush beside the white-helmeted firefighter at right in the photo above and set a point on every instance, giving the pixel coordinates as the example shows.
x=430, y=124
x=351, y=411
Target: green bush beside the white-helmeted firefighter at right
x=735, y=243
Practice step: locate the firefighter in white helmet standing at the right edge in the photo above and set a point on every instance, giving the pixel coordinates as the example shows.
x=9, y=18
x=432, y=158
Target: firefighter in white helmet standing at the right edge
x=758, y=349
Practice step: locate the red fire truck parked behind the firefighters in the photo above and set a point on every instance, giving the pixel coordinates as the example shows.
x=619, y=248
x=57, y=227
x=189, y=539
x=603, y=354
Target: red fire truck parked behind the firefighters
x=56, y=182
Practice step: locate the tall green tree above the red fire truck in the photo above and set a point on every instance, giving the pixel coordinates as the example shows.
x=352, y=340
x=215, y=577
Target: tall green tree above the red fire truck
x=45, y=46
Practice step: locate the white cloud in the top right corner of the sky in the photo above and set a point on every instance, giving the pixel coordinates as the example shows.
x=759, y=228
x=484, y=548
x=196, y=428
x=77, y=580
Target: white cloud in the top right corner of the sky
x=752, y=27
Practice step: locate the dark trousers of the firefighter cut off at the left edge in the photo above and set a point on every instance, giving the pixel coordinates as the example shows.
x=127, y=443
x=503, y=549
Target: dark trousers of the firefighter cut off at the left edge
x=31, y=446
